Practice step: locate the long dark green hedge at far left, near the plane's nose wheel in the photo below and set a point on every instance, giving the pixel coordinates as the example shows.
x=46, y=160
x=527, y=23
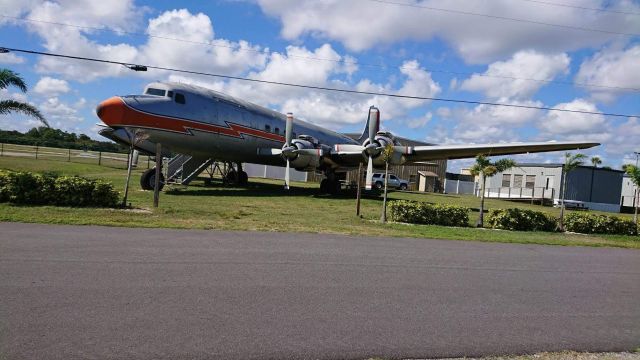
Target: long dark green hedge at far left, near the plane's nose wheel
x=29, y=188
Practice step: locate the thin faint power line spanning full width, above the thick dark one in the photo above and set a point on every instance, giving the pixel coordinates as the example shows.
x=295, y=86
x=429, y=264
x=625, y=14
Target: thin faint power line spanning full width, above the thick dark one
x=348, y=62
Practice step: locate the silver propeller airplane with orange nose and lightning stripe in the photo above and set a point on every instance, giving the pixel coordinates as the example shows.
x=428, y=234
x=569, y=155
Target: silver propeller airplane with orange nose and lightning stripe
x=204, y=123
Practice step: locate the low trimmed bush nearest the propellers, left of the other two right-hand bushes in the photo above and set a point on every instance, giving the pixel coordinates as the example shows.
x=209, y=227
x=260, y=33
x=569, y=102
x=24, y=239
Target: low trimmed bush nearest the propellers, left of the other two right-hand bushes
x=423, y=213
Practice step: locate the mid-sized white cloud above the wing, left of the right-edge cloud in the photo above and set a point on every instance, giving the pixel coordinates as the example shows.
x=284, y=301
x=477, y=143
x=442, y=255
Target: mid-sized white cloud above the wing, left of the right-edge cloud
x=507, y=78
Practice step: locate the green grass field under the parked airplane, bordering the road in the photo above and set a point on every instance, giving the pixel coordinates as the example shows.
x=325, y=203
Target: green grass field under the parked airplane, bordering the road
x=264, y=205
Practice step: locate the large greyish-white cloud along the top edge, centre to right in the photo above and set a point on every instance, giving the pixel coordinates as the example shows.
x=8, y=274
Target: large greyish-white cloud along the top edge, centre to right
x=362, y=25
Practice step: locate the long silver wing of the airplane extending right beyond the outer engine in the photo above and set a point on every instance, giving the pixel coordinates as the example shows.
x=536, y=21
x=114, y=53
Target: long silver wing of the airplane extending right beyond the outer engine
x=436, y=152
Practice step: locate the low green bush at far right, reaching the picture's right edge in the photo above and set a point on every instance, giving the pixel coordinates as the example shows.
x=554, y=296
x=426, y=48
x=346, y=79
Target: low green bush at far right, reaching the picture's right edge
x=599, y=224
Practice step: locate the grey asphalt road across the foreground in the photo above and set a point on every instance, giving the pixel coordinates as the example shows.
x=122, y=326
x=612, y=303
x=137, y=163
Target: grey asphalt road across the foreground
x=96, y=292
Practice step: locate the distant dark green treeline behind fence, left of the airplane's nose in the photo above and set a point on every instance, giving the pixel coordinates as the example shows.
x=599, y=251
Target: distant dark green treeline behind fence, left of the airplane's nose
x=44, y=136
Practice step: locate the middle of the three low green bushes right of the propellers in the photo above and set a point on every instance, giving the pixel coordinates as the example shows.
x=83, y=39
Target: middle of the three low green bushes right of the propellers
x=521, y=220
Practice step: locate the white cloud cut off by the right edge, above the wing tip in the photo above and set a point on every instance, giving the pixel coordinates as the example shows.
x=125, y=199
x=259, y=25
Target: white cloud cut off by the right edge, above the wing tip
x=614, y=68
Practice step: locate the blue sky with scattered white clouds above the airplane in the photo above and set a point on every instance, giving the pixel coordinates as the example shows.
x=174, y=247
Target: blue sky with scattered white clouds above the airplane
x=567, y=54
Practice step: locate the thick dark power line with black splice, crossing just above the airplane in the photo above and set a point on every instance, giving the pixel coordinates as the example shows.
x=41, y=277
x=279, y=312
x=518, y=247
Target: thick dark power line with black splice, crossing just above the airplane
x=140, y=67
